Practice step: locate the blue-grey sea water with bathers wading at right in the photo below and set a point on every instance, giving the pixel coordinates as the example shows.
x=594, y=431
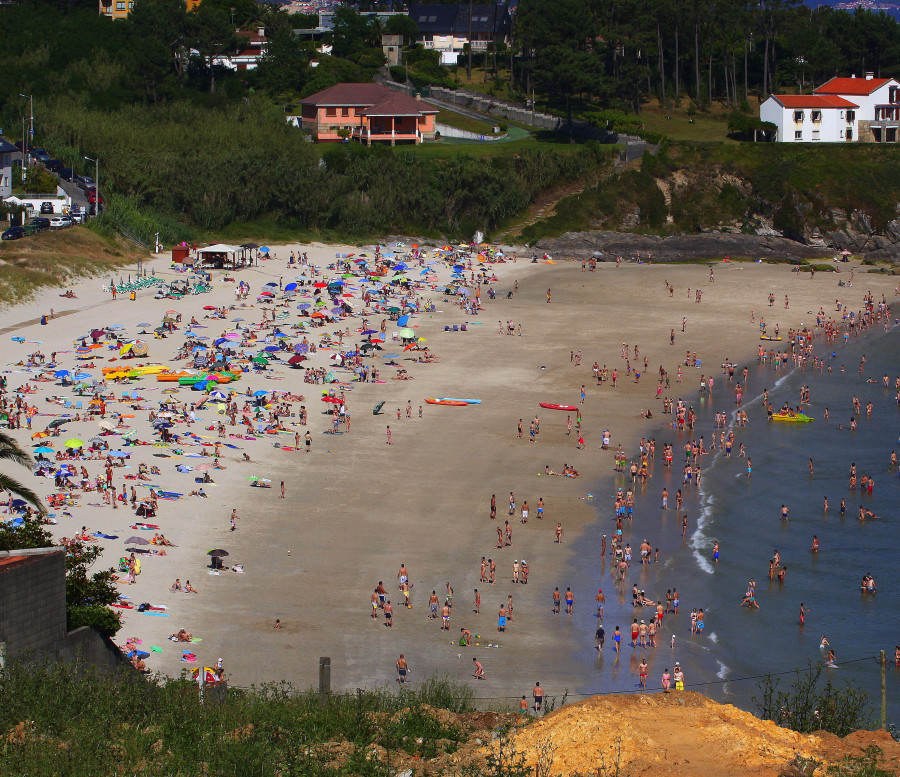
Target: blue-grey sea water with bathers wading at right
x=743, y=515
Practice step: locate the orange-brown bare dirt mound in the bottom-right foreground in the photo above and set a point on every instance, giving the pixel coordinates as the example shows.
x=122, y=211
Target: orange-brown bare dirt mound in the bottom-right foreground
x=676, y=735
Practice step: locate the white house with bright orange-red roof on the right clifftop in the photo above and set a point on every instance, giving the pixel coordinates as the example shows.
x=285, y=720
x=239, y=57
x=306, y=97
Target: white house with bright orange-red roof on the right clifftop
x=841, y=110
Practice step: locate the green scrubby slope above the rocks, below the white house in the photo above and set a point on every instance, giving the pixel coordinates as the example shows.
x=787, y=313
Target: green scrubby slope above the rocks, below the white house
x=795, y=188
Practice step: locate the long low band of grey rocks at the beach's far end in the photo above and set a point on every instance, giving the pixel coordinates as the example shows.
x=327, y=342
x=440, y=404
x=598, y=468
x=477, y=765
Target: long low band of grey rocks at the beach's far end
x=678, y=248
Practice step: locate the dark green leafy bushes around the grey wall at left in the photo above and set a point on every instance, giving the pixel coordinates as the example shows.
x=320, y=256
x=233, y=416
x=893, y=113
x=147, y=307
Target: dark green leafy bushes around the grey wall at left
x=86, y=594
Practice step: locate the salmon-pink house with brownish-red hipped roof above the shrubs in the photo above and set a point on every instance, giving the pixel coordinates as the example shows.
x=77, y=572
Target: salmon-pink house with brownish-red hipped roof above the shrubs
x=367, y=113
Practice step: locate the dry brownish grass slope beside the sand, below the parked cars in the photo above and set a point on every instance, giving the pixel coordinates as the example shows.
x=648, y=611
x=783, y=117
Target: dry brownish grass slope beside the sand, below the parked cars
x=53, y=258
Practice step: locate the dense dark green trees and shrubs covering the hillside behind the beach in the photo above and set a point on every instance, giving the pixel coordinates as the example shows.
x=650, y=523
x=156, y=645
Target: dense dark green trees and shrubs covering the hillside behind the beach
x=185, y=145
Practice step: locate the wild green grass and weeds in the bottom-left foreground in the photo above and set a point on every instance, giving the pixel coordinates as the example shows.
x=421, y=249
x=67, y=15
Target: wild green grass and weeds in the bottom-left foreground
x=81, y=723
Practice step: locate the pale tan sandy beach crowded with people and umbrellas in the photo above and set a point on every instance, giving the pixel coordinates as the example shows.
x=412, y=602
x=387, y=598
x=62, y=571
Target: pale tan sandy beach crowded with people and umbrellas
x=355, y=508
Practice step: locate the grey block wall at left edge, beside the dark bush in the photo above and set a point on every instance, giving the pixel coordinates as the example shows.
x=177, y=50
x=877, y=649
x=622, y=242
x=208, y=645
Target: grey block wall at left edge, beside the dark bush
x=33, y=601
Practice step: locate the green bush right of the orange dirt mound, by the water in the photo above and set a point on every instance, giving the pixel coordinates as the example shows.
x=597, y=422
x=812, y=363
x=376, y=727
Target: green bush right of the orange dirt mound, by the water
x=810, y=705
